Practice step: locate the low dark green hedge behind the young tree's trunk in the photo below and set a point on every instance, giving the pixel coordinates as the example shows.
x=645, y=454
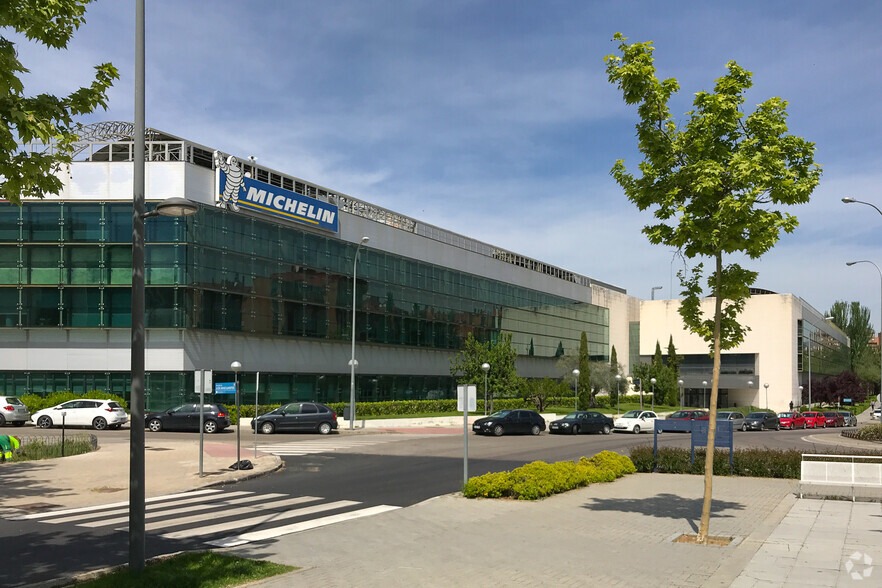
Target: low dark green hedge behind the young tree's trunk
x=753, y=462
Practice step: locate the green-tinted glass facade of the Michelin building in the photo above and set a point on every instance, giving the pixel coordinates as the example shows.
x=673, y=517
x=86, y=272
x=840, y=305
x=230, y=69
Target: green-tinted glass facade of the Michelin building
x=68, y=265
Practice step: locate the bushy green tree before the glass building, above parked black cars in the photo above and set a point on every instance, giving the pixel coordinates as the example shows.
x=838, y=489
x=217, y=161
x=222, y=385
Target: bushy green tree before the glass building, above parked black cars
x=502, y=378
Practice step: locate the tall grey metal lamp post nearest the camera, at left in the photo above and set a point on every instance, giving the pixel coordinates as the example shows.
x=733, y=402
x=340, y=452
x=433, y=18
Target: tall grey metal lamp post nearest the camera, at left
x=171, y=207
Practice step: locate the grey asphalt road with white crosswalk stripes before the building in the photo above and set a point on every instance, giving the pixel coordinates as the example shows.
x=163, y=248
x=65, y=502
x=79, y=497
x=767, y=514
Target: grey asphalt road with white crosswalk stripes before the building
x=325, y=479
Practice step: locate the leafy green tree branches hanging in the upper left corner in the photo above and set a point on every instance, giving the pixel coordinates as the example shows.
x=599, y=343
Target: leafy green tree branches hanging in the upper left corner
x=43, y=118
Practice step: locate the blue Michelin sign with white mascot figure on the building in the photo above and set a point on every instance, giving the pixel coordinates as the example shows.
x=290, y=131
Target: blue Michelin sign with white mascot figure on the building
x=235, y=190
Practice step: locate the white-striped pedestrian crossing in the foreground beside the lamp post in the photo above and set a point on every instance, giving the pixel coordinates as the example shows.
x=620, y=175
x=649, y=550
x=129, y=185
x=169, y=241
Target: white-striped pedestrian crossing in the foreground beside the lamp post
x=217, y=517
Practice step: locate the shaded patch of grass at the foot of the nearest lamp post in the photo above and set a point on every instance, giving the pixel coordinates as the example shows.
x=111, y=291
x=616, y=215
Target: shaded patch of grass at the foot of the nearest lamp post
x=192, y=570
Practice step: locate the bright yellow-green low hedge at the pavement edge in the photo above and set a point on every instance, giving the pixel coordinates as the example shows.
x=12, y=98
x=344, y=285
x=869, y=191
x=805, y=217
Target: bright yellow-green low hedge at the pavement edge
x=540, y=479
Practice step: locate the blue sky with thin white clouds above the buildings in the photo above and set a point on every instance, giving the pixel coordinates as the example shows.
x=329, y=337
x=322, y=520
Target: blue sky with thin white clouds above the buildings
x=495, y=119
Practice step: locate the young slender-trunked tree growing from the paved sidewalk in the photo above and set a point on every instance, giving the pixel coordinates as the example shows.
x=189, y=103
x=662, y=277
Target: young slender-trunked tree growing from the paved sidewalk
x=712, y=185
